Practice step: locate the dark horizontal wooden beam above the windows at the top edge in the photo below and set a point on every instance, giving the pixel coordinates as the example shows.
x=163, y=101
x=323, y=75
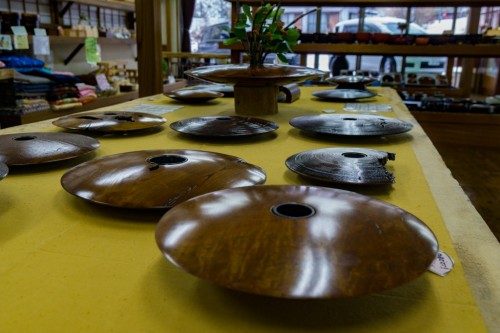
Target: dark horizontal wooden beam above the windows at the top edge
x=374, y=3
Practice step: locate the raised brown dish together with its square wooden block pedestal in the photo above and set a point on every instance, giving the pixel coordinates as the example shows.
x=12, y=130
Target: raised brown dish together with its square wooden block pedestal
x=255, y=90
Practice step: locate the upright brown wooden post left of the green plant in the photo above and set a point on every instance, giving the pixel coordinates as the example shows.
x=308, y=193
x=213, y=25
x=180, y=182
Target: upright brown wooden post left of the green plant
x=148, y=13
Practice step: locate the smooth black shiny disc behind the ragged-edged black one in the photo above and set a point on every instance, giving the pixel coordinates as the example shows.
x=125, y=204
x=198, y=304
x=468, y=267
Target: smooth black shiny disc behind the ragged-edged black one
x=350, y=125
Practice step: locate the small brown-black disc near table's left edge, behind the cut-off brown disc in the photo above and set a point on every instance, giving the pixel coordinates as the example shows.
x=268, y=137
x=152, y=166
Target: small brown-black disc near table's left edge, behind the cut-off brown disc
x=110, y=121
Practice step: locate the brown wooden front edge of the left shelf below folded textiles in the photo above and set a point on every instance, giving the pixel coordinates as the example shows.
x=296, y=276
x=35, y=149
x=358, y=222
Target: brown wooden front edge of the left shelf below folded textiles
x=15, y=120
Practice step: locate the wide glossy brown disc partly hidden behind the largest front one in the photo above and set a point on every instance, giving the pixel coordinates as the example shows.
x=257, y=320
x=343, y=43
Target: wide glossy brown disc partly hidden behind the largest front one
x=157, y=179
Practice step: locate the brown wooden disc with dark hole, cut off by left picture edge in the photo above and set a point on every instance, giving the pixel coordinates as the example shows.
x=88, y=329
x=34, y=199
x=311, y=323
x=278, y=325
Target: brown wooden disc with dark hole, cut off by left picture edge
x=38, y=148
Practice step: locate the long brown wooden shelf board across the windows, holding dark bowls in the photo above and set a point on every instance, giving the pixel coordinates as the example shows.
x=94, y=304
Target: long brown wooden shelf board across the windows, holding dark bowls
x=459, y=50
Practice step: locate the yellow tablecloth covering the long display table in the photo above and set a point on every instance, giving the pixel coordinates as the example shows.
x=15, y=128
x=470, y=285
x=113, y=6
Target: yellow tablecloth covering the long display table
x=68, y=265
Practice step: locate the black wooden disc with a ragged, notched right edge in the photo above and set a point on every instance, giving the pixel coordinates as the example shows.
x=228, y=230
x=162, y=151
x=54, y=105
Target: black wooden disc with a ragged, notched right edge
x=354, y=166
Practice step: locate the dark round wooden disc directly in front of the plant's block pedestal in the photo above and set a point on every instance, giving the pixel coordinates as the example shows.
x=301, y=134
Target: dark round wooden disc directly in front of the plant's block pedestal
x=224, y=126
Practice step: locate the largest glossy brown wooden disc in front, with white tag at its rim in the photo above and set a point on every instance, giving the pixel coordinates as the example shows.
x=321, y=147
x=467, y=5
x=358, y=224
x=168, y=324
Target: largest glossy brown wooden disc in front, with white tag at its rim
x=296, y=241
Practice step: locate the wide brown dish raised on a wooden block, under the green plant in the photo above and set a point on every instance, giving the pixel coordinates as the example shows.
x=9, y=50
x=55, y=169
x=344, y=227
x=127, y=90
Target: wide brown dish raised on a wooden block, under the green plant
x=240, y=73
